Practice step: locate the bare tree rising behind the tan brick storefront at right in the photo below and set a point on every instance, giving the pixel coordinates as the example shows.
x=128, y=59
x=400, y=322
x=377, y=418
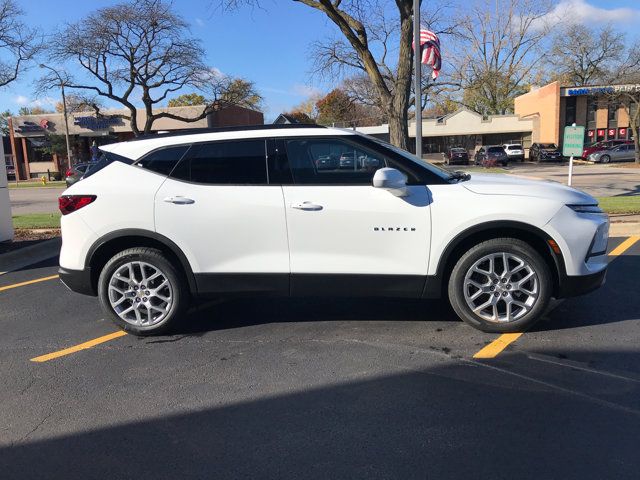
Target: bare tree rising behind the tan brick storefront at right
x=582, y=55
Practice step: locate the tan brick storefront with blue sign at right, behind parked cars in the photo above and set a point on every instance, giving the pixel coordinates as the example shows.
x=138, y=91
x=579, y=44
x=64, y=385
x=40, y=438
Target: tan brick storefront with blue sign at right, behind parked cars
x=554, y=107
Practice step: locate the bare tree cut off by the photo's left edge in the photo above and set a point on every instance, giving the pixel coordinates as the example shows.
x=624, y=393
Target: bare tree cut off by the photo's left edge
x=18, y=43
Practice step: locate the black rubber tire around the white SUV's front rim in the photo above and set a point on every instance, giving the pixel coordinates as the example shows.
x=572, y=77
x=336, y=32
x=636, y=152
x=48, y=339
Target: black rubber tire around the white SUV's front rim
x=498, y=245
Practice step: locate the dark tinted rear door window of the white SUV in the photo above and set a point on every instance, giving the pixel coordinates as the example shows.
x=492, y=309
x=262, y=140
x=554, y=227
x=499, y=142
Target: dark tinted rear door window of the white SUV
x=225, y=163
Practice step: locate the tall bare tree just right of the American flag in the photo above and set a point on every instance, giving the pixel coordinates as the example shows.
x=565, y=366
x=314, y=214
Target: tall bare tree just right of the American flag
x=500, y=46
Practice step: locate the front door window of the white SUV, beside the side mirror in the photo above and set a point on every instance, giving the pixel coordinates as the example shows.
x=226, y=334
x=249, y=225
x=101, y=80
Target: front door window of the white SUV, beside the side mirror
x=331, y=161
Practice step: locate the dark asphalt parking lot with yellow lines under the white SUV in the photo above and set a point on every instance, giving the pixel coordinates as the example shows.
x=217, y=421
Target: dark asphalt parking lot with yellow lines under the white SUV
x=316, y=388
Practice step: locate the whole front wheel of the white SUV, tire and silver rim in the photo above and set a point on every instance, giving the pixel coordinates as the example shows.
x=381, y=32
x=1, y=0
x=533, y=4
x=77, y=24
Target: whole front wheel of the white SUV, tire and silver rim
x=500, y=285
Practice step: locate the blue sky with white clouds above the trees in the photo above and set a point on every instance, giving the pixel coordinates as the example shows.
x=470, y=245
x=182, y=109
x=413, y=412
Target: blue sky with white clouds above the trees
x=269, y=46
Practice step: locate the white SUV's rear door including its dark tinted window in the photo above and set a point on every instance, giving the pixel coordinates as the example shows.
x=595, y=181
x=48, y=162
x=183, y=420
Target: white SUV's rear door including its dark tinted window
x=218, y=207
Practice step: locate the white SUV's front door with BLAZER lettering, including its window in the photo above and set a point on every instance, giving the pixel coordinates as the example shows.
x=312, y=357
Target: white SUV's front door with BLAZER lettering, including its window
x=345, y=236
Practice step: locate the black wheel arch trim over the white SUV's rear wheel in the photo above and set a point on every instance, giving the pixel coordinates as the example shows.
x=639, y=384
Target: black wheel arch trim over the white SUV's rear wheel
x=108, y=245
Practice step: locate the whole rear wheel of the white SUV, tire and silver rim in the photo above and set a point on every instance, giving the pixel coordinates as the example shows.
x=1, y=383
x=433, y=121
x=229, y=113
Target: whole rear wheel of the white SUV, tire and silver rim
x=142, y=292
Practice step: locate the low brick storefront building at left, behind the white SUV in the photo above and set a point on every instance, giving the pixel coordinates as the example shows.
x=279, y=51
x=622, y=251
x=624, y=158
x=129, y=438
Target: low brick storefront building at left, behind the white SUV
x=32, y=136
